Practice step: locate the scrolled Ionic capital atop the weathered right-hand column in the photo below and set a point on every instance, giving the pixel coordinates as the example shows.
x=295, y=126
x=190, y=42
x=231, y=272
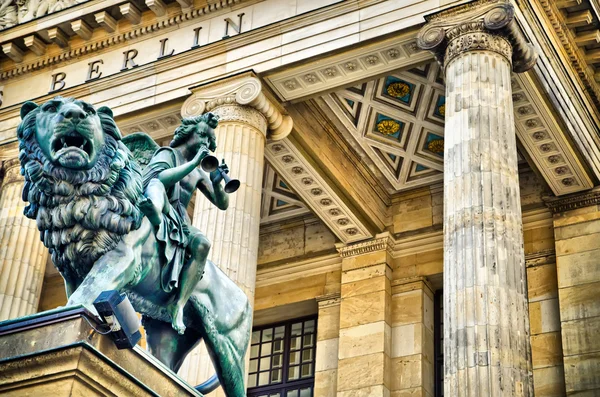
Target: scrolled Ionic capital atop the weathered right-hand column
x=480, y=26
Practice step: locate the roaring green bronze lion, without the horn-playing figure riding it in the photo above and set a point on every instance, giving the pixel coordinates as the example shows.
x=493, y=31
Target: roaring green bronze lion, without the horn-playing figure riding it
x=84, y=187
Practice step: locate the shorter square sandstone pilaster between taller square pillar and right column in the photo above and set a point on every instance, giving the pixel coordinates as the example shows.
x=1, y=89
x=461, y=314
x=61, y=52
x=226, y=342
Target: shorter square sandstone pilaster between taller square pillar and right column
x=412, y=354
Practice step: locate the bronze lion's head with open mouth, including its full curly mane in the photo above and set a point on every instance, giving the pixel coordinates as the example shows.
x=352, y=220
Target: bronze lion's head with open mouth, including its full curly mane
x=80, y=181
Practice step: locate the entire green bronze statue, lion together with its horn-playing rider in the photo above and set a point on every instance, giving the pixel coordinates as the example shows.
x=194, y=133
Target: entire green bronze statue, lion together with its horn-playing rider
x=109, y=225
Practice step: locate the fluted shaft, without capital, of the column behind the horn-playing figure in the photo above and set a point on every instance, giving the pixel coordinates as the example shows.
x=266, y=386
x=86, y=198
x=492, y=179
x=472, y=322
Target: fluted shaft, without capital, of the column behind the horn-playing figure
x=241, y=138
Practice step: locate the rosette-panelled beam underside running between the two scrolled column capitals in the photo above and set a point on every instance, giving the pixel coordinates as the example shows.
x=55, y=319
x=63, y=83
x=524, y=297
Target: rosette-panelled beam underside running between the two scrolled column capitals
x=345, y=69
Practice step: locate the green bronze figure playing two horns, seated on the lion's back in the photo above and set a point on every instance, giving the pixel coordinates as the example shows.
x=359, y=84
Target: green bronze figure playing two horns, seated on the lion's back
x=170, y=179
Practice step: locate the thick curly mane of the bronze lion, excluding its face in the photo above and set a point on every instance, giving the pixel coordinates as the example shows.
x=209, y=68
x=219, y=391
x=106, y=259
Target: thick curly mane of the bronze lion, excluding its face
x=81, y=214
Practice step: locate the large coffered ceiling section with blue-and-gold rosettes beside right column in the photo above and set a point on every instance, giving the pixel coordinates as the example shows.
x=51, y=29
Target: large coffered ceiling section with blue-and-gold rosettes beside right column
x=398, y=120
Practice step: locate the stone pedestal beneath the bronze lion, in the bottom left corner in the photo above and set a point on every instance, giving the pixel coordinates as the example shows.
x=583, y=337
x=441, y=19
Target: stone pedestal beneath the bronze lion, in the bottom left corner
x=57, y=353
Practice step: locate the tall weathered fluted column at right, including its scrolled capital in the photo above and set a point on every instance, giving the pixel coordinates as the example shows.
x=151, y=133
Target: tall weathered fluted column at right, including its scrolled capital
x=486, y=324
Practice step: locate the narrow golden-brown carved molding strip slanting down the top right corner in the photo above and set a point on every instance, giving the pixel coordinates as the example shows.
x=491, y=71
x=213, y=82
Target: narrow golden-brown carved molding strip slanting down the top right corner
x=575, y=55
